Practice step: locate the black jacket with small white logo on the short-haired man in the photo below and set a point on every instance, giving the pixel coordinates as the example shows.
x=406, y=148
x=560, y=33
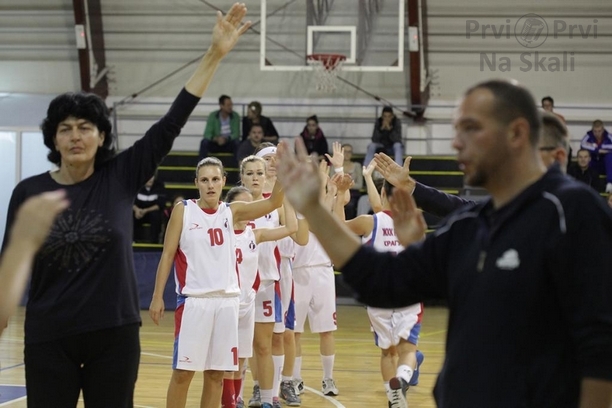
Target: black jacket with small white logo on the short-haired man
x=528, y=287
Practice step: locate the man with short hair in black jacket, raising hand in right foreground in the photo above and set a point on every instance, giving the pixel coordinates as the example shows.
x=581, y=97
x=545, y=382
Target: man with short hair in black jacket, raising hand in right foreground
x=524, y=272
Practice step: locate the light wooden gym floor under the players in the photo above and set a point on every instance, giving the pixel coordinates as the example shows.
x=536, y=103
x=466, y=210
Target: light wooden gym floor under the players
x=356, y=368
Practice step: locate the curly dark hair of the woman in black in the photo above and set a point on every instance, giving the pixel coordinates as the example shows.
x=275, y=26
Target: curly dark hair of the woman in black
x=80, y=105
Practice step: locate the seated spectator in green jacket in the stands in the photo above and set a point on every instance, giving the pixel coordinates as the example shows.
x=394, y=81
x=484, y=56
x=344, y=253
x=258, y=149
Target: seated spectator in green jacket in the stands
x=222, y=131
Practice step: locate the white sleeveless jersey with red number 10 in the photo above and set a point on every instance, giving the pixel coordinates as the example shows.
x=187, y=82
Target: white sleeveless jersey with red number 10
x=205, y=261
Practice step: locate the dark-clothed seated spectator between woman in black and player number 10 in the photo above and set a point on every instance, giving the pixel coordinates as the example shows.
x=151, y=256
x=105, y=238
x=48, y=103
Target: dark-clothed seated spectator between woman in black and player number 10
x=148, y=209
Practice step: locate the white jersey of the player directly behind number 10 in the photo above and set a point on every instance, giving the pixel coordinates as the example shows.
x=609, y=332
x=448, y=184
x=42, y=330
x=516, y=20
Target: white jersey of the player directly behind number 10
x=246, y=258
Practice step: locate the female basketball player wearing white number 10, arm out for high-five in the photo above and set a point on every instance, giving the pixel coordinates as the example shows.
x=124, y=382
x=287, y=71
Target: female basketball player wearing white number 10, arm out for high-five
x=200, y=240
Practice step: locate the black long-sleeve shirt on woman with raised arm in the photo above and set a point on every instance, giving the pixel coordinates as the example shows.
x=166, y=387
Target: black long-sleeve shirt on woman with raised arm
x=83, y=277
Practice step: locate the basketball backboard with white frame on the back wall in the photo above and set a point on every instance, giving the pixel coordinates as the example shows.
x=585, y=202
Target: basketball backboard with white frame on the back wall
x=370, y=33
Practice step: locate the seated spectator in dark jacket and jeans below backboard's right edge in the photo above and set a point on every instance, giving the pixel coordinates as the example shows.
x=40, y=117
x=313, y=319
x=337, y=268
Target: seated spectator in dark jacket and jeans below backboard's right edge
x=387, y=137
